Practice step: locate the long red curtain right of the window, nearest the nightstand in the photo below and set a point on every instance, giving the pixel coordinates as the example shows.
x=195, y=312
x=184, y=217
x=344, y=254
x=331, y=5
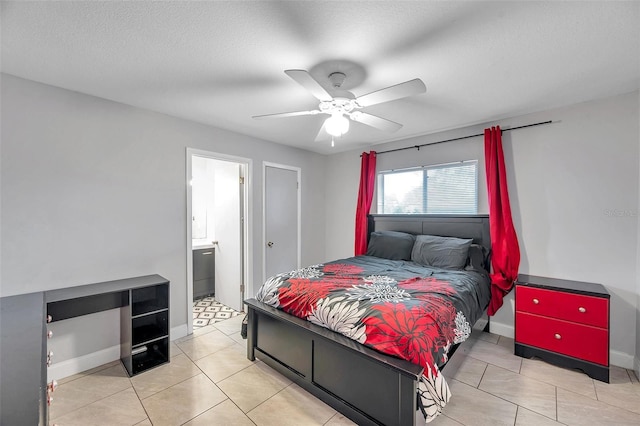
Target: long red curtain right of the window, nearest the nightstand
x=505, y=253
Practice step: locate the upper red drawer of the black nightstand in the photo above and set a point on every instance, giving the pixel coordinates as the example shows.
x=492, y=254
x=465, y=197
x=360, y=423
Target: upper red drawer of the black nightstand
x=578, y=308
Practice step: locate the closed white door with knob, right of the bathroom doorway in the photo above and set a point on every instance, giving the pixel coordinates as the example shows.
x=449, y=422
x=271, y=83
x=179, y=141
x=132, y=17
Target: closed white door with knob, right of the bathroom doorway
x=281, y=220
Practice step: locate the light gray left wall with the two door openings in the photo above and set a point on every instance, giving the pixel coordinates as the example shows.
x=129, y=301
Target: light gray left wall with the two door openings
x=94, y=190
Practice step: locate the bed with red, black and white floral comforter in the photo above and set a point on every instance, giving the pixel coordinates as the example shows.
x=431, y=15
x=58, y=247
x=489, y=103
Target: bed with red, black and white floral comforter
x=336, y=329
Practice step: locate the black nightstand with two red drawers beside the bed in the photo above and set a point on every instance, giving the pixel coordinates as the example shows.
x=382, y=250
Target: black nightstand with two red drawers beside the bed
x=564, y=322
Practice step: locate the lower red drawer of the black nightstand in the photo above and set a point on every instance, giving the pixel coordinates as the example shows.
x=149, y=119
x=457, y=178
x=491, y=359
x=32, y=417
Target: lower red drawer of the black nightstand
x=576, y=340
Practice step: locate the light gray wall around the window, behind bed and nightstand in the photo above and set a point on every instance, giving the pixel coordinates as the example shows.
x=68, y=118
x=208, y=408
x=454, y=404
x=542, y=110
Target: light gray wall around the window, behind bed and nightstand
x=568, y=183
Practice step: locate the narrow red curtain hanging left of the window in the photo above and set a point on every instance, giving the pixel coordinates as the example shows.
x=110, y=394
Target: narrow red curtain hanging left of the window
x=365, y=196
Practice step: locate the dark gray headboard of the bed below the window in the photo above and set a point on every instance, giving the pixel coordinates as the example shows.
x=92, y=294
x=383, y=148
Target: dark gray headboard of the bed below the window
x=471, y=226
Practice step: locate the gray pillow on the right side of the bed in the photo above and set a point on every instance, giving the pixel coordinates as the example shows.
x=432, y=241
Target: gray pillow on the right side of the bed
x=441, y=252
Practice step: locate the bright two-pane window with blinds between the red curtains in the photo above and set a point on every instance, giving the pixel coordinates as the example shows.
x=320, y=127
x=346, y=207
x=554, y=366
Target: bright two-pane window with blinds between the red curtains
x=442, y=189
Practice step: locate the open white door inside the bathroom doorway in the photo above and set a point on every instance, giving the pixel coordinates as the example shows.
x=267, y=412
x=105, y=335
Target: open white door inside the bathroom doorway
x=227, y=218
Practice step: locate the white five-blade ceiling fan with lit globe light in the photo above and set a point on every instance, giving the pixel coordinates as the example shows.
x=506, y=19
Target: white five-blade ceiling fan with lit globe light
x=344, y=105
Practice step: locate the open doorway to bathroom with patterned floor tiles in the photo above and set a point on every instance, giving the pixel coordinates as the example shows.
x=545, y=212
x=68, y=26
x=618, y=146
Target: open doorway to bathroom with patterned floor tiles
x=217, y=233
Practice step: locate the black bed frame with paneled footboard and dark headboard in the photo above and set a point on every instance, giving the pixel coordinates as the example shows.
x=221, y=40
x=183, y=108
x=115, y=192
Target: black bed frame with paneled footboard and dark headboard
x=367, y=386
